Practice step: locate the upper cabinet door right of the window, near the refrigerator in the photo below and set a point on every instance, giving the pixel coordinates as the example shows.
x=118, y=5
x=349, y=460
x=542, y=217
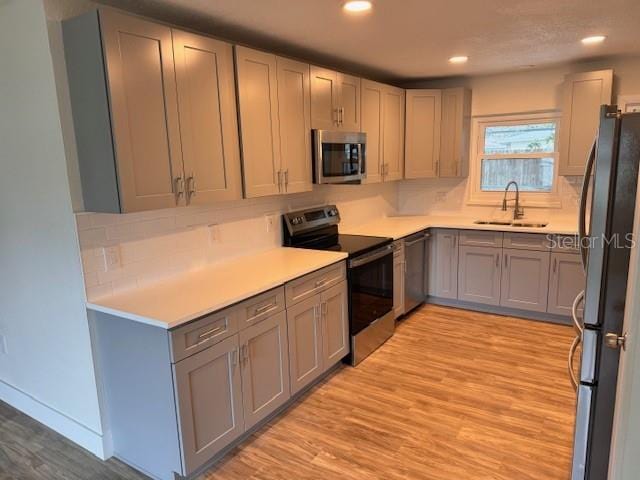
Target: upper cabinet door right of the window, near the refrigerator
x=583, y=94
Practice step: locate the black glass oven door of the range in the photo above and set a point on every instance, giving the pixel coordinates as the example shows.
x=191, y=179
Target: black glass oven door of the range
x=370, y=287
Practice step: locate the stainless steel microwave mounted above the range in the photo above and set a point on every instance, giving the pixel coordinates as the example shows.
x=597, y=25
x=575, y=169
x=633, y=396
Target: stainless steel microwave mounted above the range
x=339, y=157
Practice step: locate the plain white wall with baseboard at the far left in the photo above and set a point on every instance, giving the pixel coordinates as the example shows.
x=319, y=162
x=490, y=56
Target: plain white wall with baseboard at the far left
x=47, y=370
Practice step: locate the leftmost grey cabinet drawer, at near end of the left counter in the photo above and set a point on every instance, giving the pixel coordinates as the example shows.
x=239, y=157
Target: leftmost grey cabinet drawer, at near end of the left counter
x=202, y=333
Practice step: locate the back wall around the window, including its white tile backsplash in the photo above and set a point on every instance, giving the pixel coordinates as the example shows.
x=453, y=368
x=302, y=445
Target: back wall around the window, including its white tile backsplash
x=528, y=90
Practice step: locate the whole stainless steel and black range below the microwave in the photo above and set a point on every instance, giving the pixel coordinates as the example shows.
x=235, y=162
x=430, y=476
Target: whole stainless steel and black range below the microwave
x=369, y=273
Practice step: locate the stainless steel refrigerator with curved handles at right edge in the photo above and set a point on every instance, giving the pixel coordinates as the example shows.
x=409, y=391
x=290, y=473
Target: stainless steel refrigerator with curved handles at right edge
x=606, y=224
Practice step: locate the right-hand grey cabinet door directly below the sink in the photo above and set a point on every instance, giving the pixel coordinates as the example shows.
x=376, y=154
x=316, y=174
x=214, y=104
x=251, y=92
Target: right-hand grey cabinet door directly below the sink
x=525, y=279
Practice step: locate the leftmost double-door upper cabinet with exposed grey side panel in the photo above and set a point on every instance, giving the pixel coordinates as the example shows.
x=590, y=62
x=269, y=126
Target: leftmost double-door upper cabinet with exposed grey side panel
x=154, y=114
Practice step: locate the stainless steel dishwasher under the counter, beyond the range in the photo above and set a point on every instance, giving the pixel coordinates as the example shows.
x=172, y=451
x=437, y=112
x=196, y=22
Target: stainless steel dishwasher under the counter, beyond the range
x=415, y=281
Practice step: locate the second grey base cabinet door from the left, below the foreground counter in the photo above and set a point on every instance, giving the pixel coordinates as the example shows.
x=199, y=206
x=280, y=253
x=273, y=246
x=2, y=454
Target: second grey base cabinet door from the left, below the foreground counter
x=265, y=368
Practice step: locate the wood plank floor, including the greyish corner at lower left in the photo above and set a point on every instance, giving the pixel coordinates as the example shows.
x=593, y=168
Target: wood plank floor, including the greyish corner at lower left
x=454, y=395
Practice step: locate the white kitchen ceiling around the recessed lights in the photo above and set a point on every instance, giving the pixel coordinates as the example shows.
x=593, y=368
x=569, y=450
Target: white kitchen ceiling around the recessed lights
x=412, y=39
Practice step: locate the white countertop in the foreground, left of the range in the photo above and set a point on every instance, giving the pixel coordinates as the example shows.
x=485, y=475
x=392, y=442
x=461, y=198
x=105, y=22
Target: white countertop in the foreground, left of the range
x=190, y=295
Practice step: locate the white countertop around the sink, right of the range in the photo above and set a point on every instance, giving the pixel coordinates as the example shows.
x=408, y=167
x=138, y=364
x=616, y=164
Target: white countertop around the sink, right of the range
x=399, y=227
